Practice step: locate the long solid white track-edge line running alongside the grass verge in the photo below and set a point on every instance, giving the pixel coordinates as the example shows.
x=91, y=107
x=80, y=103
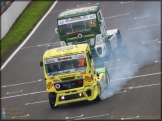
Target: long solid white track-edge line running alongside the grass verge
x=14, y=53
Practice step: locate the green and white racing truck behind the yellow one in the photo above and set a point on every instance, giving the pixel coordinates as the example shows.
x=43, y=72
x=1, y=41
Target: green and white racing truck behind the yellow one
x=87, y=25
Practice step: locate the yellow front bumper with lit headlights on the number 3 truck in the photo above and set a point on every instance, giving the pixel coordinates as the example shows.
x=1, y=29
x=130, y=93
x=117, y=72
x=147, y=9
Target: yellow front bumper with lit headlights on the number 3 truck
x=86, y=93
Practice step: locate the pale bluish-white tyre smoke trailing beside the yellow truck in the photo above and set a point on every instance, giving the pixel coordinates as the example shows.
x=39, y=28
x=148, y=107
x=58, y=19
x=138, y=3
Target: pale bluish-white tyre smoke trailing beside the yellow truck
x=134, y=52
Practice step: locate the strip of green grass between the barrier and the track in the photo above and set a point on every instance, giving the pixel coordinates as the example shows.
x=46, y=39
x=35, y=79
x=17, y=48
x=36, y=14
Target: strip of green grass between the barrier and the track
x=25, y=23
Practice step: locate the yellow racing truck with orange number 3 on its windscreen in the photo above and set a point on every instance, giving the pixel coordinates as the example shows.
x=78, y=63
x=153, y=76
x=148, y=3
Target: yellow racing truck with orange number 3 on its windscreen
x=71, y=76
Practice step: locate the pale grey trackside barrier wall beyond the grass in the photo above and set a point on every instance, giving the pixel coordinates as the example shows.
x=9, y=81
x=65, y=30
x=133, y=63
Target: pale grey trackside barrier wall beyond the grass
x=11, y=14
